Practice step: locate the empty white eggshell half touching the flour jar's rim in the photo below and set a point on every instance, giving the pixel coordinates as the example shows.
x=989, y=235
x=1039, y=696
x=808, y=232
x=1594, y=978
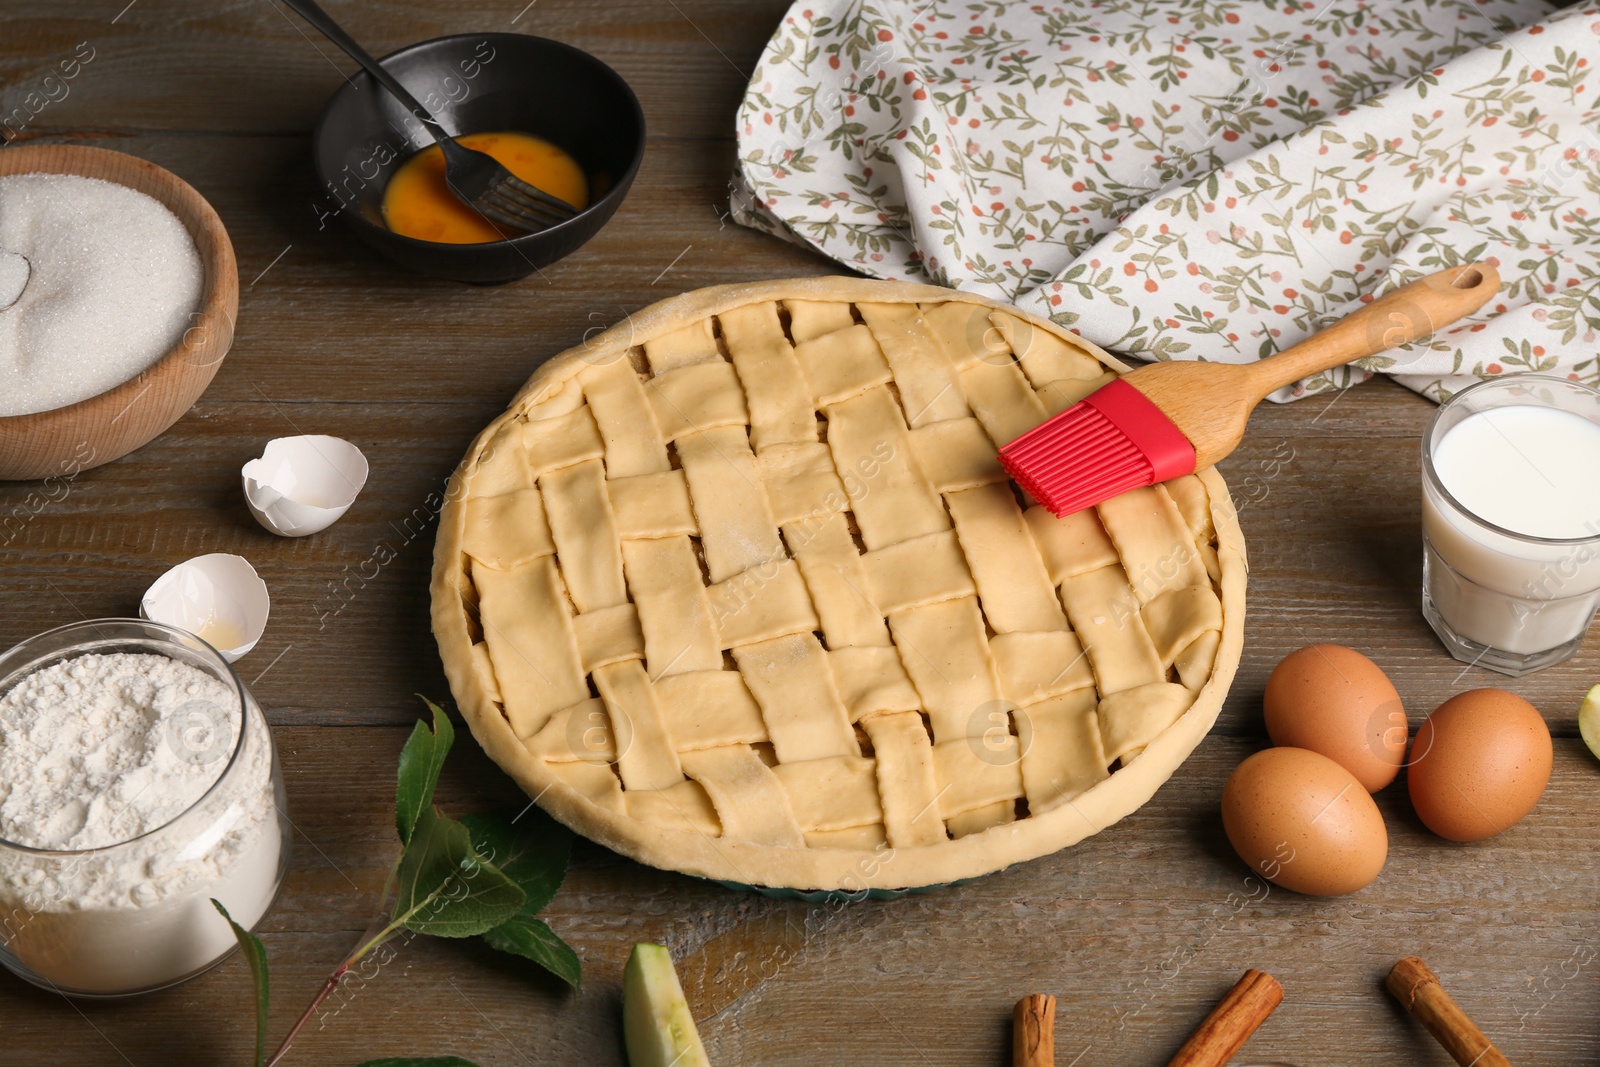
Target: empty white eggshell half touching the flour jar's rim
x=217, y=597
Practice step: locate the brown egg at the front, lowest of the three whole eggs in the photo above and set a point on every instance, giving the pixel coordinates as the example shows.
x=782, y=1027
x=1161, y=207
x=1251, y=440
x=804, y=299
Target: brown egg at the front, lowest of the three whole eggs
x=1303, y=821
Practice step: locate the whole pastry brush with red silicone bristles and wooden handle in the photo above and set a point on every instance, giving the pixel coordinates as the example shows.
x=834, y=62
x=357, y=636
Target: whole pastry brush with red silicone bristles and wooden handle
x=1169, y=420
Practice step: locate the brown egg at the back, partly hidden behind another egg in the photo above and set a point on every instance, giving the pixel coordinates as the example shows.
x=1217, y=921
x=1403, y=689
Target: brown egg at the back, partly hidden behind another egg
x=1335, y=701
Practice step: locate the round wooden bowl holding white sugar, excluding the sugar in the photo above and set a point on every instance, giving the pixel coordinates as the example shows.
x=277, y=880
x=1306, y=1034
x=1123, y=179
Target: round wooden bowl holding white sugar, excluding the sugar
x=110, y=426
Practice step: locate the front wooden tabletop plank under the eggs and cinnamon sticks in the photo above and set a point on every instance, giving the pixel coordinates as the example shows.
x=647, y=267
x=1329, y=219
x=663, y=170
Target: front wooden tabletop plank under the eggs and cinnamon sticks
x=1138, y=932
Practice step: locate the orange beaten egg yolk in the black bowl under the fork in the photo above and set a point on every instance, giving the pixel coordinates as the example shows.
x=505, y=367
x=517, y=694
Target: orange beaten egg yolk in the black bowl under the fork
x=418, y=202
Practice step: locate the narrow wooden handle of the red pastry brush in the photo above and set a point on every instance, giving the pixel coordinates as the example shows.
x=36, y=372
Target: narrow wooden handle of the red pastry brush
x=1406, y=314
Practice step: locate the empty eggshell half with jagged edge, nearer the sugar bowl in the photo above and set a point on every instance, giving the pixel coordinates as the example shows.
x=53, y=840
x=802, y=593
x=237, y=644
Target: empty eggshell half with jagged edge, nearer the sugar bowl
x=303, y=484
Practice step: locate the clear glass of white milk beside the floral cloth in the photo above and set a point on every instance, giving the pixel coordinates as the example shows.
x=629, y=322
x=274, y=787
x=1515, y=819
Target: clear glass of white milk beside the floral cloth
x=1511, y=521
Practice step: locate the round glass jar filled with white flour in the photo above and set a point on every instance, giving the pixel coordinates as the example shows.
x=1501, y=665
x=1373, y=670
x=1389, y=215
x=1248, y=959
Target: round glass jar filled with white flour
x=138, y=781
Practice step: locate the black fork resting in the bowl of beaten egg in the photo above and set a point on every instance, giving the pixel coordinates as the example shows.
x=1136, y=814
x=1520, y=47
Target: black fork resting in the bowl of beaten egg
x=476, y=178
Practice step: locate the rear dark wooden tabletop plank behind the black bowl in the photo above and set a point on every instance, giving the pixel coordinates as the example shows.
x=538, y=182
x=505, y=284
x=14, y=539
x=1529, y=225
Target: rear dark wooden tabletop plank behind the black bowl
x=255, y=68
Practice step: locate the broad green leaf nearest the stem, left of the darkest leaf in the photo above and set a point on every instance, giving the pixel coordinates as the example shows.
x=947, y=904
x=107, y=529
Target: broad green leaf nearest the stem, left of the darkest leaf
x=446, y=889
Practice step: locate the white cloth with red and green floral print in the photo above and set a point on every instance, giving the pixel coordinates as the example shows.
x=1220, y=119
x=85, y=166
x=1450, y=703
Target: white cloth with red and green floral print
x=1201, y=178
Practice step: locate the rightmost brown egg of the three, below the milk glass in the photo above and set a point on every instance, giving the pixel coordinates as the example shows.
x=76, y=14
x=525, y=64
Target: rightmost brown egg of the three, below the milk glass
x=1479, y=765
